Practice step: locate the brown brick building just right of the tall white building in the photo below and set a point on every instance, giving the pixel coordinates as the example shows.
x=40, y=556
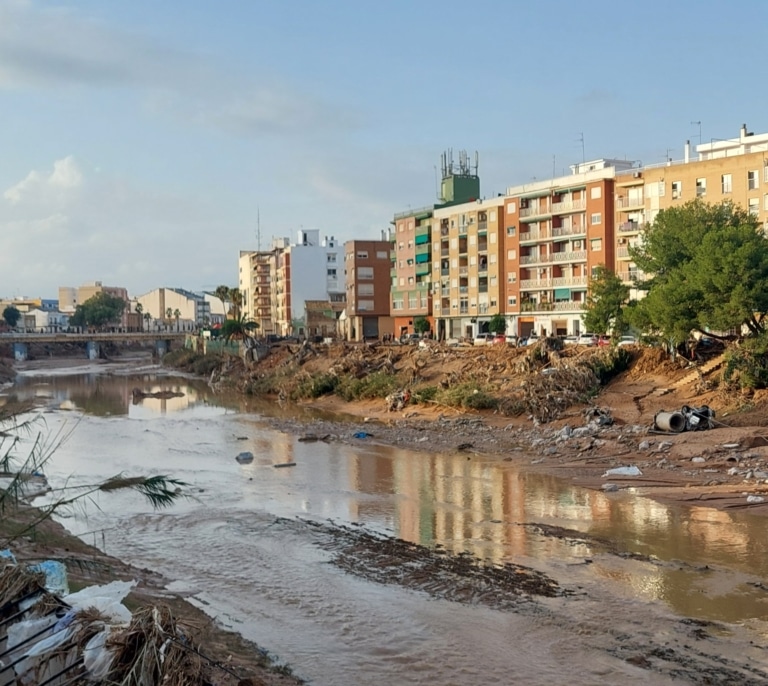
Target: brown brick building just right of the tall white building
x=367, y=267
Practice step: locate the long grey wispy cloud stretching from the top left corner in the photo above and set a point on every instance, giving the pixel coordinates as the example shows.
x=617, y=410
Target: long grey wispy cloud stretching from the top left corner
x=54, y=47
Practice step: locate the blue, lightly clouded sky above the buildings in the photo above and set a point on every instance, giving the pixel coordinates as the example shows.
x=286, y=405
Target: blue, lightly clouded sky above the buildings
x=144, y=143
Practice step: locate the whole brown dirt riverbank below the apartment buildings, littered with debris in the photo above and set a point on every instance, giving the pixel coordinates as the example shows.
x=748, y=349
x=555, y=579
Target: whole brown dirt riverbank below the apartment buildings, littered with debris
x=547, y=410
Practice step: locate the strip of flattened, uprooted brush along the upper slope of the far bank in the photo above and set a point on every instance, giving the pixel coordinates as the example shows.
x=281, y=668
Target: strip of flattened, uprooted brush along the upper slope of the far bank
x=541, y=380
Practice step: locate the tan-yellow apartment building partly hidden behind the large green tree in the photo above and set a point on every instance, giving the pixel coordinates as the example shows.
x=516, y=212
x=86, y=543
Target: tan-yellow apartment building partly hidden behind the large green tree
x=733, y=169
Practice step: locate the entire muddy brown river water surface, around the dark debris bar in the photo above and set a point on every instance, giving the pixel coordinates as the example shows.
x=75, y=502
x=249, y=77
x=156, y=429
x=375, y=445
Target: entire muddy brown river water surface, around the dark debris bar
x=241, y=550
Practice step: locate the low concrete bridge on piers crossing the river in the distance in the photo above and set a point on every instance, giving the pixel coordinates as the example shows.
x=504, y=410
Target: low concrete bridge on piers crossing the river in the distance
x=161, y=339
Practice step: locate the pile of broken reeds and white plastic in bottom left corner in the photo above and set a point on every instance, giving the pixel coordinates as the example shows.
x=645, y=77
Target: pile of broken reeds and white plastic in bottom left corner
x=88, y=636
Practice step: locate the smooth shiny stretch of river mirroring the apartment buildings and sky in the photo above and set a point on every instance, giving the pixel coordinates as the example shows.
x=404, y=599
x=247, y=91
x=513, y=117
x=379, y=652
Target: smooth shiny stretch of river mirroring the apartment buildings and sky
x=472, y=504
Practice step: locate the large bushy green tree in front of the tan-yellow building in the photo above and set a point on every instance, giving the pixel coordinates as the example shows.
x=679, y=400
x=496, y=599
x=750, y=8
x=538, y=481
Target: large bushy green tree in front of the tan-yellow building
x=708, y=266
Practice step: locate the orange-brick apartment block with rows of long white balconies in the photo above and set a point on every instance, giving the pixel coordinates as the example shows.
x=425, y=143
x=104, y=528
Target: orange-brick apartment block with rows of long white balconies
x=556, y=232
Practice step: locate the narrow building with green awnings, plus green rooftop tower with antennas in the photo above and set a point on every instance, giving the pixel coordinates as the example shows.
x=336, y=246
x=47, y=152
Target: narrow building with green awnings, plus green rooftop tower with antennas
x=412, y=241
